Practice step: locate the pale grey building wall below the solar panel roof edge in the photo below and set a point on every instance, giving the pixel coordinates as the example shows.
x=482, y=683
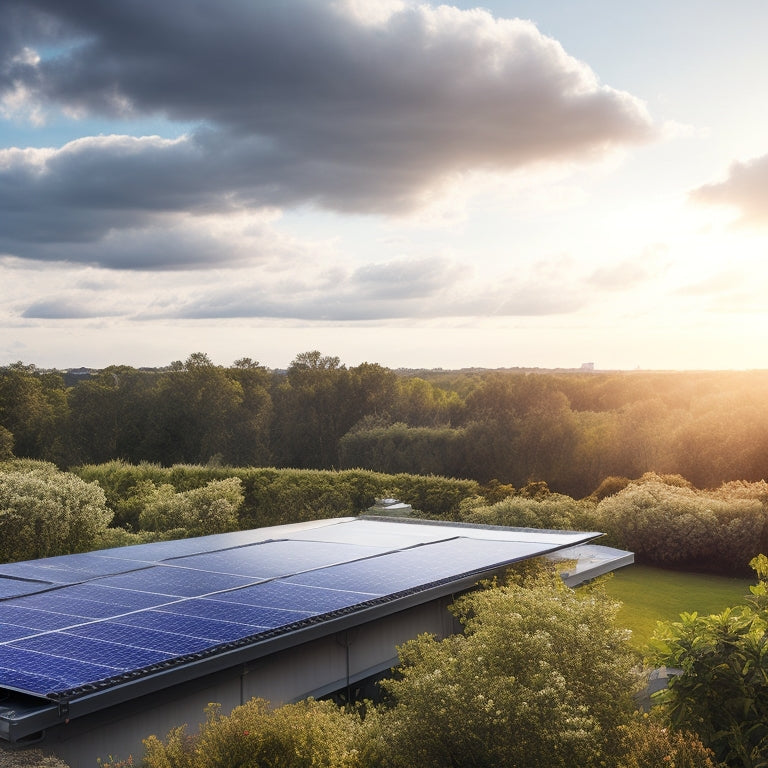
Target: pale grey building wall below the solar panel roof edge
x=312, y=669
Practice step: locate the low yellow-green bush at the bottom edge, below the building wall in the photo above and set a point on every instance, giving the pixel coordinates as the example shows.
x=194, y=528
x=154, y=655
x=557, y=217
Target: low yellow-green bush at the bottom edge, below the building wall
x=309, y=734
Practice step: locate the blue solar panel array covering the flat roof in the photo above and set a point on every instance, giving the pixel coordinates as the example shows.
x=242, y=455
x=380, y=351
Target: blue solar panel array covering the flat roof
x=78, y=623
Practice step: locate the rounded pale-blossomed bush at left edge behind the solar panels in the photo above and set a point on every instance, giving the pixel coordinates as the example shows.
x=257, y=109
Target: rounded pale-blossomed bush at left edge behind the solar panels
x=44, y=512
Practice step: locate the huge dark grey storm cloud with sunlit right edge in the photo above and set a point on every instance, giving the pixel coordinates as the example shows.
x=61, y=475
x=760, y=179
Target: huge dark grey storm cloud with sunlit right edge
x=291, y=104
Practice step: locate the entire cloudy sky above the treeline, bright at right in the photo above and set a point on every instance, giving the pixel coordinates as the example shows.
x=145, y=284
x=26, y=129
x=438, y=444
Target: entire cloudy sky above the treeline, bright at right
x=526, y=184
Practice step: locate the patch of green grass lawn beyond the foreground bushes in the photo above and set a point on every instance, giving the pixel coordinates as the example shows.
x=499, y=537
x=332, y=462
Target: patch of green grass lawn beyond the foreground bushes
x=653, y=594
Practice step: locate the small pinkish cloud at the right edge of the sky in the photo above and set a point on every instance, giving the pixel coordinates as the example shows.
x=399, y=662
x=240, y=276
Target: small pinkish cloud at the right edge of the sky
x=745, y=188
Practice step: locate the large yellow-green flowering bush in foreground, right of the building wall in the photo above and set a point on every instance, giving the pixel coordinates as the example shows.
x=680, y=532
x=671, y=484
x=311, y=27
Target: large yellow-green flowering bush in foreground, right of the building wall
x=540, y=678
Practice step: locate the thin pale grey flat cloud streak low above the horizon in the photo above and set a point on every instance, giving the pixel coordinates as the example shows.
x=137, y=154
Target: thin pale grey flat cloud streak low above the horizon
x=422, y=289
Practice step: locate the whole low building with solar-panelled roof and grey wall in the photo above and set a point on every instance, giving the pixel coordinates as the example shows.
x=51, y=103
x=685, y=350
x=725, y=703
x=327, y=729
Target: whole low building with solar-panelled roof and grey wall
x=99, y=650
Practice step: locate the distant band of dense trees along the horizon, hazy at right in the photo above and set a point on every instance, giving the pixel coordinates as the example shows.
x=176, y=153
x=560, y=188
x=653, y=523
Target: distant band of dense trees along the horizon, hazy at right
x=569, y=429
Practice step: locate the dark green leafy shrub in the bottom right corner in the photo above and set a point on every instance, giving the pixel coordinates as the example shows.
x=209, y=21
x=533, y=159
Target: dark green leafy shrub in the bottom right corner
x=721, y=692
